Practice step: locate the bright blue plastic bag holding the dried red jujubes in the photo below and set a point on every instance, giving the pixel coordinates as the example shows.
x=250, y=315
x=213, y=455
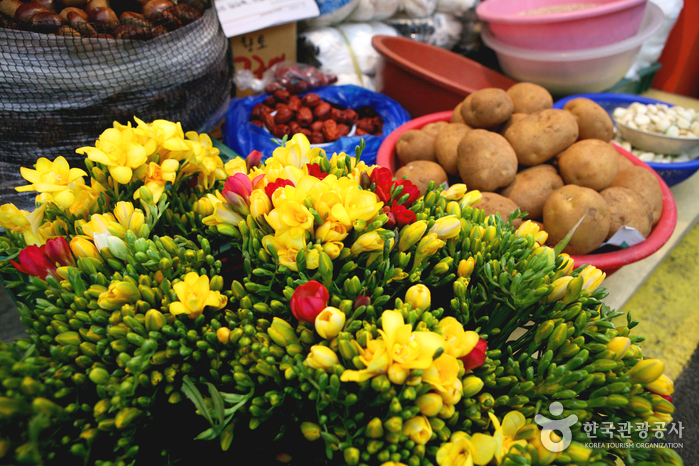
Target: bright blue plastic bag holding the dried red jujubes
x=244, y=137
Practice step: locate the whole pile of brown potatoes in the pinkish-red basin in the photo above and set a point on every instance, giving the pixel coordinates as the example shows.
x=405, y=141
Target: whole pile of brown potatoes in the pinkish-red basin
x=556, y=165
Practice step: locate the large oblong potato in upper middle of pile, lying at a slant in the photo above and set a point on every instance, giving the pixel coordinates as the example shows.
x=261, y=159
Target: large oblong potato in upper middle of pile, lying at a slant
x=541, y=135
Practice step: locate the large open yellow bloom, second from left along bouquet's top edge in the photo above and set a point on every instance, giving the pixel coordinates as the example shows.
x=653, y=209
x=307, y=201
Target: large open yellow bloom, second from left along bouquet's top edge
x=119, y=150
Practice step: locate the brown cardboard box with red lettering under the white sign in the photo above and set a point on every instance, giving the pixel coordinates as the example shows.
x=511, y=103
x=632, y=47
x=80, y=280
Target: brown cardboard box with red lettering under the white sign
x=258, y=51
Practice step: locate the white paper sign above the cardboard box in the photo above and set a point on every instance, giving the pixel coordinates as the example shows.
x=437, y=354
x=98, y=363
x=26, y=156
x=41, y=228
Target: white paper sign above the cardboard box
x=243, y=16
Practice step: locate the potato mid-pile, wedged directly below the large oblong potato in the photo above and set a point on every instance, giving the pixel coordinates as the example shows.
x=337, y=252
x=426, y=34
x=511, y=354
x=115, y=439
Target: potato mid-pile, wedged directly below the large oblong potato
x=532, y=187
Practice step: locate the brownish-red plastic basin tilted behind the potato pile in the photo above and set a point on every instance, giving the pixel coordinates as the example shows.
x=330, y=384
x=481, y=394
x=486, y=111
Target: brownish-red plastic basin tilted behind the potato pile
x=425, y=79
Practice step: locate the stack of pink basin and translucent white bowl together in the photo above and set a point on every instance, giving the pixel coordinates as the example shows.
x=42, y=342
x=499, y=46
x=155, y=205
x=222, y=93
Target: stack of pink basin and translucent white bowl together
x=568, y=46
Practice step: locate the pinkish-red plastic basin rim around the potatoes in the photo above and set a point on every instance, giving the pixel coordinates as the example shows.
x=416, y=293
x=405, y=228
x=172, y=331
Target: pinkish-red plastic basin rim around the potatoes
x=608, y=262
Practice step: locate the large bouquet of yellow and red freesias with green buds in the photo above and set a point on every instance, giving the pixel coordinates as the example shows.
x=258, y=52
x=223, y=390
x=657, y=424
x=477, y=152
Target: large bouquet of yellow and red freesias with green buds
x=303, y=308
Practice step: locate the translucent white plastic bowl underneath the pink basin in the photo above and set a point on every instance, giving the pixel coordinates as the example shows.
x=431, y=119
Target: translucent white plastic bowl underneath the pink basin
x=576, y=71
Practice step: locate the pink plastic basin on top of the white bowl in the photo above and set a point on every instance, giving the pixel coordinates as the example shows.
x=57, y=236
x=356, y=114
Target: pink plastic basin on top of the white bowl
x=608, y=22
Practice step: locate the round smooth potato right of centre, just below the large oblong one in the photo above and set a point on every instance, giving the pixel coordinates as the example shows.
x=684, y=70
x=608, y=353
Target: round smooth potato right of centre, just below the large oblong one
x=591, y=163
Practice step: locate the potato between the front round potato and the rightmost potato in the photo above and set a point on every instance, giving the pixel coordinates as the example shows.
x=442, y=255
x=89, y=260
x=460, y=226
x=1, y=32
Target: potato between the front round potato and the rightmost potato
x=627, y=208
